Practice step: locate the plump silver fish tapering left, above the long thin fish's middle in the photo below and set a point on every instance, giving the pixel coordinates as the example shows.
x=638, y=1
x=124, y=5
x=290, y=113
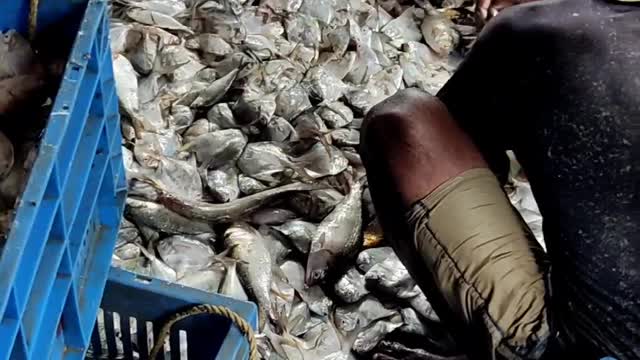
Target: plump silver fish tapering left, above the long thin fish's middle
x=217, y=148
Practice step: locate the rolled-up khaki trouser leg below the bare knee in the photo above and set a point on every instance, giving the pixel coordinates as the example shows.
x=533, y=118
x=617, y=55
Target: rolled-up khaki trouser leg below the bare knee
x=484, y=262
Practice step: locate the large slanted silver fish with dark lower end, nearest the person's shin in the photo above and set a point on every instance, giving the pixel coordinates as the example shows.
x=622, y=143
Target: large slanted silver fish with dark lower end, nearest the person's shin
x=338, y=235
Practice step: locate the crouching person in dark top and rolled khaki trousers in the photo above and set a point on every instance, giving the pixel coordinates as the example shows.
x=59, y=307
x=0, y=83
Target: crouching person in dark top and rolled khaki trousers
x=558, y=83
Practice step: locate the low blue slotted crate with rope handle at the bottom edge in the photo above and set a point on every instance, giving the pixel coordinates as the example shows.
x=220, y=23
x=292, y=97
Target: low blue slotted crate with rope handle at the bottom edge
x=151, y=302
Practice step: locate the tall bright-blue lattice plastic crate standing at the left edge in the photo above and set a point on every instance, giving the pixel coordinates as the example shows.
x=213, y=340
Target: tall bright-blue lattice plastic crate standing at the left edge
x=55, y=262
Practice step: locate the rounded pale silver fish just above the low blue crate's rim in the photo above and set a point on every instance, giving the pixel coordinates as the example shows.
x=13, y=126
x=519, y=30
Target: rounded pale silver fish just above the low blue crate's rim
x=185, y=255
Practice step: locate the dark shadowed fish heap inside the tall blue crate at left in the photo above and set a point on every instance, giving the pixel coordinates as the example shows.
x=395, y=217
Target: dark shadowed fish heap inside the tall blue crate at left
x=27, y=87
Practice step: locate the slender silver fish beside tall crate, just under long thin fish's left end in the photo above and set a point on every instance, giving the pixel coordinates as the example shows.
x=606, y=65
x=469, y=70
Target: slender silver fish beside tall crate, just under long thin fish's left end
x=158, y=217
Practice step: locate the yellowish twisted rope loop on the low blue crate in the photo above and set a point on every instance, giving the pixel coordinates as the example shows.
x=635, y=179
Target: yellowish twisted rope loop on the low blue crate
x=241, y=323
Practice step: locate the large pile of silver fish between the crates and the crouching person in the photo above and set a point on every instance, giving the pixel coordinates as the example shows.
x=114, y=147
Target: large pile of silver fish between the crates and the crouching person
x=241, y=125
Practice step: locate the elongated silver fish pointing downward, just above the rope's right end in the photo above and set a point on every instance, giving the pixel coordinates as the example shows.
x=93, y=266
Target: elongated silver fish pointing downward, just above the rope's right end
x=247, y=245
